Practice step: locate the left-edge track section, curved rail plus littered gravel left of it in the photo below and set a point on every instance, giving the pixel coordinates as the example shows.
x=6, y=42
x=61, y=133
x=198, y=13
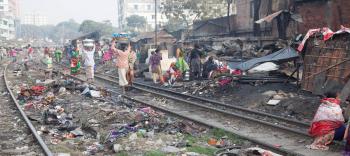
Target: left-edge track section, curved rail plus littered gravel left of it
x=34, y=145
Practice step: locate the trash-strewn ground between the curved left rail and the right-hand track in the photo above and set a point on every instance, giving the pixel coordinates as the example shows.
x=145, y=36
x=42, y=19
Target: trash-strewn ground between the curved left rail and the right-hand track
x=72, y=122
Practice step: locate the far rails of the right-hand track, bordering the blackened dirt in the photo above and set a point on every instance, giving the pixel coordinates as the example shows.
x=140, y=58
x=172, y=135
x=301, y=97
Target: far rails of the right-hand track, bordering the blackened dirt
x=278, y=122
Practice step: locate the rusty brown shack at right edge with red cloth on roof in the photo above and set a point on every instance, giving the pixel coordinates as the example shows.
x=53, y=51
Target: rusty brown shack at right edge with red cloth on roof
x=326, y=60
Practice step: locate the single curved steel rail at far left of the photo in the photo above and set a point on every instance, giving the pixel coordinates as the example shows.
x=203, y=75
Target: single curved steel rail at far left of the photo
x=26, y=119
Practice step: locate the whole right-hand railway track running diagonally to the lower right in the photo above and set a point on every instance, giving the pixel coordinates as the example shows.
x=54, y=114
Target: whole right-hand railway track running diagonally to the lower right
x=281, y=135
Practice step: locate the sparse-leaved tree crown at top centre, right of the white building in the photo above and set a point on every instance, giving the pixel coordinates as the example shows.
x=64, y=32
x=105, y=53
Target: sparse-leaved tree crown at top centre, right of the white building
x=186, y=11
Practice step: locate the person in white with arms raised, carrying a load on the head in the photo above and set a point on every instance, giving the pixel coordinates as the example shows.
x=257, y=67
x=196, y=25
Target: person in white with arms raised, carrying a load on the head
x=88, y=56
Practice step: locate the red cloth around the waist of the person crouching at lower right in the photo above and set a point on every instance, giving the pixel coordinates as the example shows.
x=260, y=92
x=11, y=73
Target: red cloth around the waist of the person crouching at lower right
x=323, y=127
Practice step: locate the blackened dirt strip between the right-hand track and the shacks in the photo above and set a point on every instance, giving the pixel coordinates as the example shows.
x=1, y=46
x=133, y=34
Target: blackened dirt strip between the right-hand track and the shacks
x=295, y=103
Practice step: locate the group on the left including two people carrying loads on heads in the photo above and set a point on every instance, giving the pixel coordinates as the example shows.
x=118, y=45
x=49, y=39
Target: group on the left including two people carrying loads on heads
x=120, y=50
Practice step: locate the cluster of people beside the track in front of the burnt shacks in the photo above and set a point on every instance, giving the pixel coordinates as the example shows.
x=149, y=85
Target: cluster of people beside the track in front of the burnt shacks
x=187, y=66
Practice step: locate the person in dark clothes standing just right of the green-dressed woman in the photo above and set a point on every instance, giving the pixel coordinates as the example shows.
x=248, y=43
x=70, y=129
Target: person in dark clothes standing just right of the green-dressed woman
x=195, y=62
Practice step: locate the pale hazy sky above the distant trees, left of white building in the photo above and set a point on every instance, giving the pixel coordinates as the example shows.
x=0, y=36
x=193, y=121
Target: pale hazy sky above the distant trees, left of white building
x=79, y=10
